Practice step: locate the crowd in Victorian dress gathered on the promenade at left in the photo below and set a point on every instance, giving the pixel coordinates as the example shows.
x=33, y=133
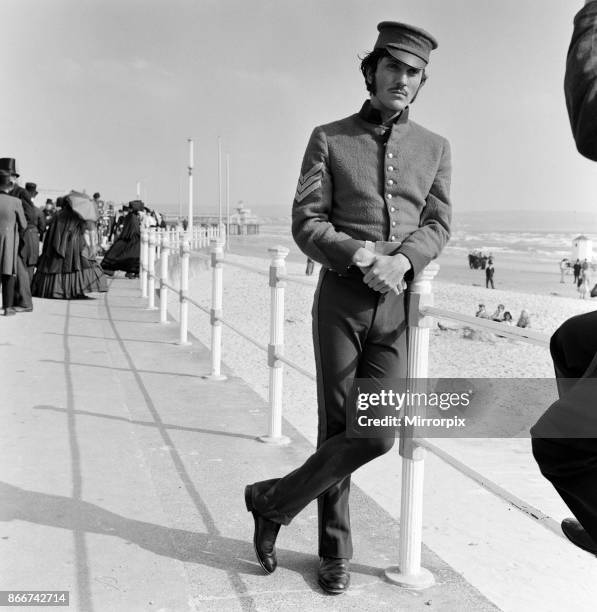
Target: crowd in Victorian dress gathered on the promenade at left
x=53, y=252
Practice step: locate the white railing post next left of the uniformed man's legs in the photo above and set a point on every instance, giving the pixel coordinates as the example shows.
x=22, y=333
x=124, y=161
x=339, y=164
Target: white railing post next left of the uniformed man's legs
x=276, y=346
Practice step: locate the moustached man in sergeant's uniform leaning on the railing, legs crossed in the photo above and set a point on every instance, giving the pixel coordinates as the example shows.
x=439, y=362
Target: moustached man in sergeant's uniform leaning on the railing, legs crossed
x=372, y=206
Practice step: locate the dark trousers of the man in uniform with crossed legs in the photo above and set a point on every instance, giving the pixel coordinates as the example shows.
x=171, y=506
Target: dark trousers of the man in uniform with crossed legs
x=357, y=333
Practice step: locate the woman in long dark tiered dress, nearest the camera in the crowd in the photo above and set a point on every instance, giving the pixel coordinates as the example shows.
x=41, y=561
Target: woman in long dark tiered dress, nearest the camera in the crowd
x=66, y=268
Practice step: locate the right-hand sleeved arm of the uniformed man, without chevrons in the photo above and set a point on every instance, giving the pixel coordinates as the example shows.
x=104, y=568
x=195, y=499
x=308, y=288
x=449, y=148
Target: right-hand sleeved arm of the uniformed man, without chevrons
x=427, y=242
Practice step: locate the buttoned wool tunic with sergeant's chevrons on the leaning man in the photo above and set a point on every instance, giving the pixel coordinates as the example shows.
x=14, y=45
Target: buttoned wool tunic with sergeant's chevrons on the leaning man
x=362, y=182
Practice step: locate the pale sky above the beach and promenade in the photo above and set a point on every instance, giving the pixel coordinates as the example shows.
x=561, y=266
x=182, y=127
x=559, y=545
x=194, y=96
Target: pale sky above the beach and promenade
x=101, y=94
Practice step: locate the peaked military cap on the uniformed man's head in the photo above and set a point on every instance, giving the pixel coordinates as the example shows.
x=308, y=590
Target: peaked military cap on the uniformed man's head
x=406, y=43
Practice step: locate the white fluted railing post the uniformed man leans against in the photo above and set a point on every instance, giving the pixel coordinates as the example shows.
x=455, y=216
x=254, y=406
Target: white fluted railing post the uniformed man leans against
x=409, y=573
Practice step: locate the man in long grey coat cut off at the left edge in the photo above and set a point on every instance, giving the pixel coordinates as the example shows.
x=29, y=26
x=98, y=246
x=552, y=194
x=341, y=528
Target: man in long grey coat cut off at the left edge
x=12, y=218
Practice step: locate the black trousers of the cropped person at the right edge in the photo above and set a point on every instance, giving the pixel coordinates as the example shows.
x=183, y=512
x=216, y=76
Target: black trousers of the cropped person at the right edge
x=570, y=463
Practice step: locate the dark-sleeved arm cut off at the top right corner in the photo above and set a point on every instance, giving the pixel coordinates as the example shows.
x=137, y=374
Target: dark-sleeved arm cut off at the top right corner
x=580, y=83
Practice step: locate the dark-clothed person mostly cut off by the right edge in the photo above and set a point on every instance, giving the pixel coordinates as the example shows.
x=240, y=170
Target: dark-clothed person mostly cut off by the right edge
x=564, y=439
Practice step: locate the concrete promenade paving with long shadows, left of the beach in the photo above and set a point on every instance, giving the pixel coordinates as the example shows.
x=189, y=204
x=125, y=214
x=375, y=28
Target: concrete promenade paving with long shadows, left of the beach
x=122, y=471
